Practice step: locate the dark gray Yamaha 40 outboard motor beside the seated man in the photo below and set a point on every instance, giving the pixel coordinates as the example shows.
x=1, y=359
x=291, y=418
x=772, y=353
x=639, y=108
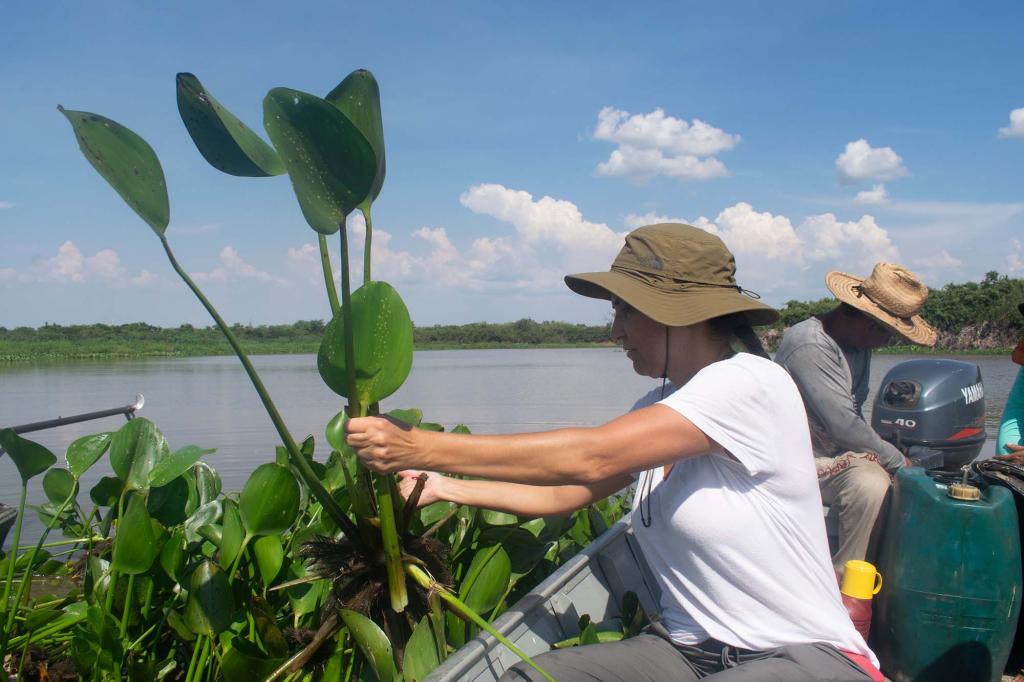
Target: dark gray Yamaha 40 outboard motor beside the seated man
x=936, y=405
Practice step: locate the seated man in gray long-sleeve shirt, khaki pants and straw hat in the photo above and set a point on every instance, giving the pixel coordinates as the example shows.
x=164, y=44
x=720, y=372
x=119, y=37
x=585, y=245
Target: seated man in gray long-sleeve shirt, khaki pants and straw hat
x=829, y=359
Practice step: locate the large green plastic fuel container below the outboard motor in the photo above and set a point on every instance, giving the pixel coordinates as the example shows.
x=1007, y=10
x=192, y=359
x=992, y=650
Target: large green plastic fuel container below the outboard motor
x=952, y=561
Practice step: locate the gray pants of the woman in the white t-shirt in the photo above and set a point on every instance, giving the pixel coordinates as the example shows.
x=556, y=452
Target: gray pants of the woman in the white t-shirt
x=650, y=658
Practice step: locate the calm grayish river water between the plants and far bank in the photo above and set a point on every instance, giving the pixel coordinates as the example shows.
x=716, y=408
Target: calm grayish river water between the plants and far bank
x=209, y=402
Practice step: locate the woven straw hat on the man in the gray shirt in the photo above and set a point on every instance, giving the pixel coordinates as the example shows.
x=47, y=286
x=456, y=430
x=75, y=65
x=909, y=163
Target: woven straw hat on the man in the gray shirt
x=893, y=295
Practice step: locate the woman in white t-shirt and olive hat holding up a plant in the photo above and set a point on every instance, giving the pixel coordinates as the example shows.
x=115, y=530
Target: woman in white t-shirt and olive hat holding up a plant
x=728, y=509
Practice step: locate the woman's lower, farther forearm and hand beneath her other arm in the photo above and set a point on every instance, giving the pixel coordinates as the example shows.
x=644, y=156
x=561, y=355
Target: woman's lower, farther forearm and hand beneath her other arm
x=511, y=498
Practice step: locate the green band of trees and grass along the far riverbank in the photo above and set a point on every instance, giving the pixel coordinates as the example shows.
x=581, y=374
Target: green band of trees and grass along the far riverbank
x=974, y=317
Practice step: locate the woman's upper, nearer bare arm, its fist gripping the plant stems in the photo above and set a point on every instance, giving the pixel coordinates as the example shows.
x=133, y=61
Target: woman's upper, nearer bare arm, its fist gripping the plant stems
x=643, y=440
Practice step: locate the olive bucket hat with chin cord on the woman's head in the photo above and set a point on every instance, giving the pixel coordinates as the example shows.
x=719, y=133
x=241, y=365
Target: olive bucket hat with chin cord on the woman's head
x=676, y=275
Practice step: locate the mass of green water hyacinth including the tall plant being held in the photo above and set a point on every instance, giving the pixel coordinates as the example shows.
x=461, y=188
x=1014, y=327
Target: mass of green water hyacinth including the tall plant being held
x=316, y=570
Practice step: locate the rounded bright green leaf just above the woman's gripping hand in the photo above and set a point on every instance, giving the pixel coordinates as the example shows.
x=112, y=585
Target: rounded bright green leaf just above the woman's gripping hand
x=383, y=340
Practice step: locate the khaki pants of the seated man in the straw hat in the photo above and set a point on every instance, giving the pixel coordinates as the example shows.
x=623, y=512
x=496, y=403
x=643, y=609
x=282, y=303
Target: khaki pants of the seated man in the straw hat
x=857, y=487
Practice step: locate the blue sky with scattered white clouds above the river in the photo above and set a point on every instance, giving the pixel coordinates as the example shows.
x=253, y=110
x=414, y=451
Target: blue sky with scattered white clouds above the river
x=524, y=140
